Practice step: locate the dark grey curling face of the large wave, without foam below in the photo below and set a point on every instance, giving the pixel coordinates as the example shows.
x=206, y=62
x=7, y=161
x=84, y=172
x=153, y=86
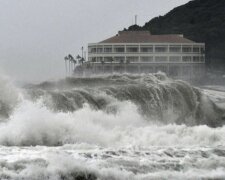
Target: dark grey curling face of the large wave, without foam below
x=156, y=96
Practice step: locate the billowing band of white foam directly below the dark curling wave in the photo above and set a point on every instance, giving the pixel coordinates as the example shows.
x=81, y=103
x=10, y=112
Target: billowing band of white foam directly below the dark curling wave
x=34, y=124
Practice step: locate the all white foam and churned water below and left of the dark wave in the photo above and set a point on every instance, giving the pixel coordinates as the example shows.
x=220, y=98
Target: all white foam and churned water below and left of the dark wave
x=105, y=145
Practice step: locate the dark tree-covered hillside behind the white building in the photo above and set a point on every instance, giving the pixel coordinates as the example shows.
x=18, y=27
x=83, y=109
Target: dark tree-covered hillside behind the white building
x=198, y=20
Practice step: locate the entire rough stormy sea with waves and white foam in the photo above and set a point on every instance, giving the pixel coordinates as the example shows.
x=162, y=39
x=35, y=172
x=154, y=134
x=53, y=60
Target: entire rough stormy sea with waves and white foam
x=114, y=127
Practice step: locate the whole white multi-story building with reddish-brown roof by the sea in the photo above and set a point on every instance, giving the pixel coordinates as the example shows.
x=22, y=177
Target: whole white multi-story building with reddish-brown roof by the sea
x=140, y=51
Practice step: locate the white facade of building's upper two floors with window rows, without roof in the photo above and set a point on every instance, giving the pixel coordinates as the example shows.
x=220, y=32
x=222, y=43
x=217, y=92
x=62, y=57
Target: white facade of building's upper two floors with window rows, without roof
x=146, y=53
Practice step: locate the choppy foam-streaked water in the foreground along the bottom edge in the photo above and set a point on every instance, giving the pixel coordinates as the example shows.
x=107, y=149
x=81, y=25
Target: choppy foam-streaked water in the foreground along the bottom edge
x=67, y=163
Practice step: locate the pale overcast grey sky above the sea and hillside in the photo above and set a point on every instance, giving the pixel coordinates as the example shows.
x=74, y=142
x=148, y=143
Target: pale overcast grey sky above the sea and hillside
x=35, y=35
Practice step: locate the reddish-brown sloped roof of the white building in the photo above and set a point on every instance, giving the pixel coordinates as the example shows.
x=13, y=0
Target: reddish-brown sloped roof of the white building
x=145, y=37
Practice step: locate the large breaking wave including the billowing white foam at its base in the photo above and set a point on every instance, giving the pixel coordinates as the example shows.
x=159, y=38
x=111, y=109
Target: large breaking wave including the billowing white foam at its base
x=113, y=111
